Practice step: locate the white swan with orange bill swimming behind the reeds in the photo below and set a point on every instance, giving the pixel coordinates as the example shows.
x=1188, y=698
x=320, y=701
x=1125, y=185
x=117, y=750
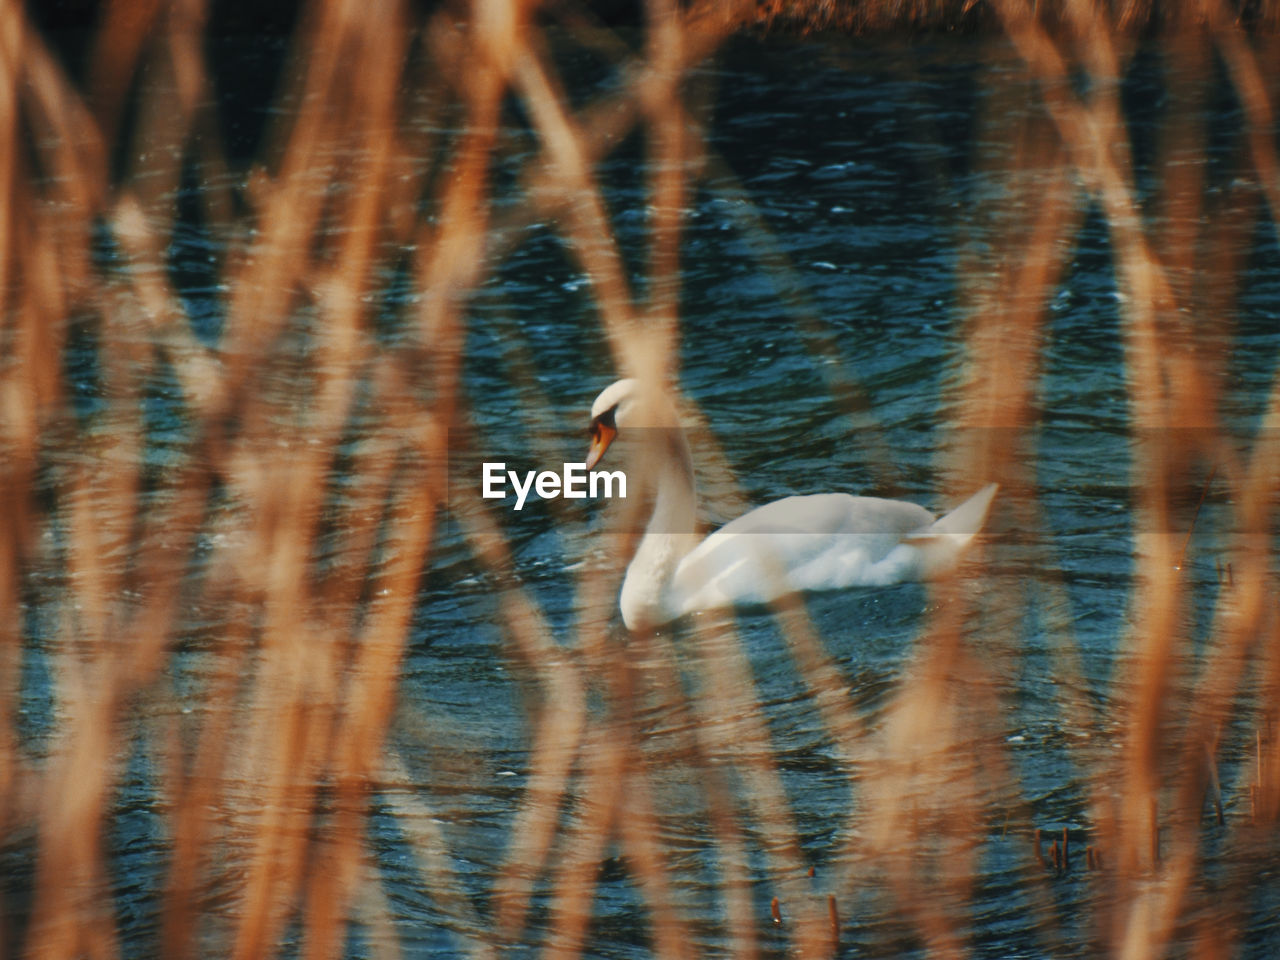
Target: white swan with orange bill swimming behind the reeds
x=821, y=542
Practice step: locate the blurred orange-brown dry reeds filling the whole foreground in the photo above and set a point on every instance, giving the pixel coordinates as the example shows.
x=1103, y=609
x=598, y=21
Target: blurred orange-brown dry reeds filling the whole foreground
x=267, y=780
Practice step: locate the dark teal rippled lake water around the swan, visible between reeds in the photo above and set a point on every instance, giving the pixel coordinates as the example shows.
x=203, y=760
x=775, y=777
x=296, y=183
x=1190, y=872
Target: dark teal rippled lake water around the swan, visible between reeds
x=843, y=221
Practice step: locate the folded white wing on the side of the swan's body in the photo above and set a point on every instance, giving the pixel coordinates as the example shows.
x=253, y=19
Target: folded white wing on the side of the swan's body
x=822, y=542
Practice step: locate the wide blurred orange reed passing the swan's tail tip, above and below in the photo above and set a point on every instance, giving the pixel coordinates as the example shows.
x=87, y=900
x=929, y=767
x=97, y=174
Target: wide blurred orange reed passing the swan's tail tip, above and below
x=929, y=785
